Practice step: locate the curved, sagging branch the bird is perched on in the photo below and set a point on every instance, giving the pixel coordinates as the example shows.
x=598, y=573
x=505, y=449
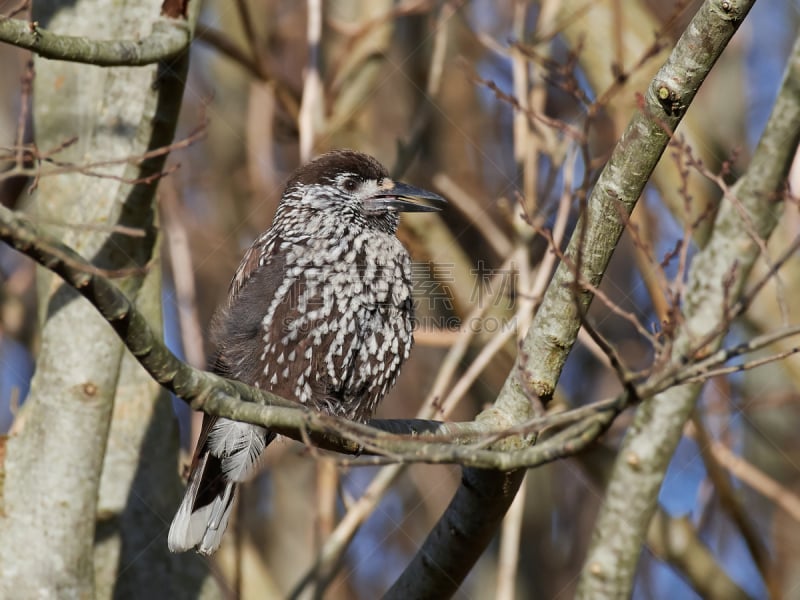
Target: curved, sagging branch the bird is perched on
x=414, y=440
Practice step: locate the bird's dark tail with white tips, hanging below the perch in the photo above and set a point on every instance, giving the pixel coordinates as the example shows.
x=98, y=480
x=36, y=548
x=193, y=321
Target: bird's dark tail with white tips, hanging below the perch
x=234, y=449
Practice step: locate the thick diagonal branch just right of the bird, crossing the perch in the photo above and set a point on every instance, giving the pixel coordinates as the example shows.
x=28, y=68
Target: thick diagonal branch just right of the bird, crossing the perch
x=555, y=326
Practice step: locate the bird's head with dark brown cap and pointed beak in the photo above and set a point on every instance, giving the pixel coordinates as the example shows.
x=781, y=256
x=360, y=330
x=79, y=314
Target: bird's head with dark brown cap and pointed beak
x=350, y=186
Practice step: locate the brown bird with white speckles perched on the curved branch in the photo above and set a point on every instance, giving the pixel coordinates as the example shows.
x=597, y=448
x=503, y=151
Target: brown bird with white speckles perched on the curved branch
x=319, y=311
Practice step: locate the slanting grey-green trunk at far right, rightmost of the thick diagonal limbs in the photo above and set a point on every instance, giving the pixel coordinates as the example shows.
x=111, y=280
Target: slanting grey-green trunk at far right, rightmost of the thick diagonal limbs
x=716, y=280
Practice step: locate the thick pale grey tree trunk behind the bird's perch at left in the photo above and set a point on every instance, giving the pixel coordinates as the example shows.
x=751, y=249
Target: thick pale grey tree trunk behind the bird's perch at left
x=55, y=486
